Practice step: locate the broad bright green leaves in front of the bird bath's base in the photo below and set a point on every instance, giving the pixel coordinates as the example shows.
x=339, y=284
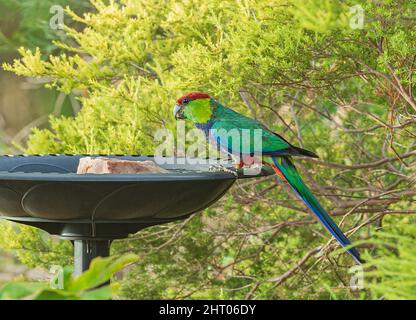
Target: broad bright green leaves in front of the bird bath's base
x=82, y=287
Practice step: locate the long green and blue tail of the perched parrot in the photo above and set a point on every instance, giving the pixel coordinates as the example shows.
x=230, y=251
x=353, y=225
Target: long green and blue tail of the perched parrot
x=284, y=167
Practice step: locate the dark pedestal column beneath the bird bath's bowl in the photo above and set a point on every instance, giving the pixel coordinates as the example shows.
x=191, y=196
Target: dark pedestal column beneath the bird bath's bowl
x=86, y=250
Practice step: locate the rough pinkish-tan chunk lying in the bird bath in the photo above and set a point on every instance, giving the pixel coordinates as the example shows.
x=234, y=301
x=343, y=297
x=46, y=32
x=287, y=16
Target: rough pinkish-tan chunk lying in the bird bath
x=102, y=165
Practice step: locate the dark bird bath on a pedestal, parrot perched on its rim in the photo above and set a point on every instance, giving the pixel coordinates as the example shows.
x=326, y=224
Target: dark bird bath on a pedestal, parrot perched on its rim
x=91, y=210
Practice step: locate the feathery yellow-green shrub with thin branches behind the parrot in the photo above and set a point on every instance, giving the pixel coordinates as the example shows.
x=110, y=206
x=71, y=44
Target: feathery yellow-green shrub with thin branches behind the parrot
x=307, y=69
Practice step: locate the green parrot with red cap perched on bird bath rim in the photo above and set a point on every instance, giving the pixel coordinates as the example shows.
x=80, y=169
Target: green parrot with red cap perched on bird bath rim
x=216, y=121
